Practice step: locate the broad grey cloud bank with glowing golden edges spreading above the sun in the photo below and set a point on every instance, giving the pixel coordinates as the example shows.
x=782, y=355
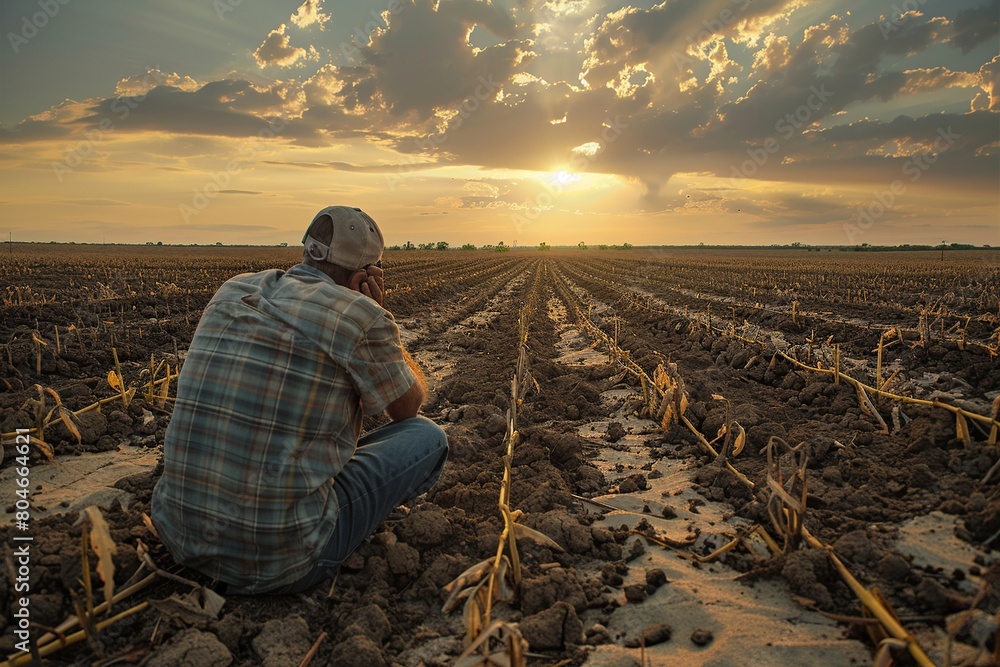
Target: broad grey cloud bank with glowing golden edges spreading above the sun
x=681, y=88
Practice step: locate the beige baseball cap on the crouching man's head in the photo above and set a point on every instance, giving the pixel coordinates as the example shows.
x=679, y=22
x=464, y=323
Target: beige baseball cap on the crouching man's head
x=355, y=243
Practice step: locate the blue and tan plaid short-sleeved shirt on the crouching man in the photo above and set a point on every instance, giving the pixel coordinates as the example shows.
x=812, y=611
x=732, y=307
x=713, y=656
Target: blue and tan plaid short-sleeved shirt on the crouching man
x=280, y=371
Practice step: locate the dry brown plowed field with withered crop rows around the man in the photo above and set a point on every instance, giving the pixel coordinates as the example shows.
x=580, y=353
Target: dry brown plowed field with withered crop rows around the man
x=831, y=418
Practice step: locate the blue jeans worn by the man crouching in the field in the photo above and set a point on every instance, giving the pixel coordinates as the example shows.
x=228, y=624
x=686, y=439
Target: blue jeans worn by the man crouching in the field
x=392, y=464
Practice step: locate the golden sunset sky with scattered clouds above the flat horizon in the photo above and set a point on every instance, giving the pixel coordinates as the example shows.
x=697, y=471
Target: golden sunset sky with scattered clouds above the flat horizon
x=689, y=121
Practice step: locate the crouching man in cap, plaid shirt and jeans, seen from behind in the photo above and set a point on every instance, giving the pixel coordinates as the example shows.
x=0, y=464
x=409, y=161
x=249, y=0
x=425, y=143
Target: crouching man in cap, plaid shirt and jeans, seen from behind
x=266, y=485
